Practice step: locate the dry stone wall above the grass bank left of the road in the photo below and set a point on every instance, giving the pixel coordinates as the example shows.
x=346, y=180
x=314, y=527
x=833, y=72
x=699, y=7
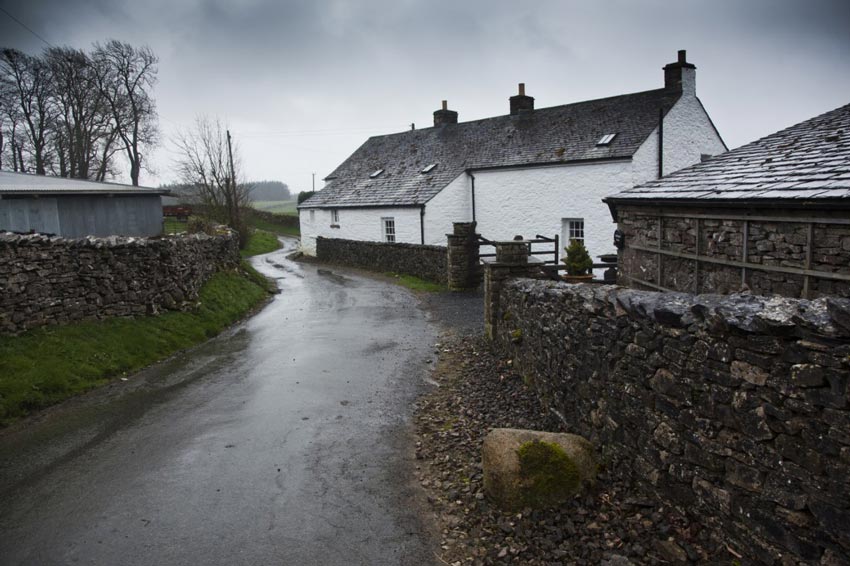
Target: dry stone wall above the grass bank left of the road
x=46, y=280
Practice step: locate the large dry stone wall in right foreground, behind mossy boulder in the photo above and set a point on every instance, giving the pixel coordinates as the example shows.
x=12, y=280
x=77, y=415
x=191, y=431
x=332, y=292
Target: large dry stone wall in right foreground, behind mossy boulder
x=732, y=408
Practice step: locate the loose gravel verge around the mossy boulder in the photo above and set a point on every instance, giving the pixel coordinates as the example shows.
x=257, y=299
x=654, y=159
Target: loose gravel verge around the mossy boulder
x=613, y=523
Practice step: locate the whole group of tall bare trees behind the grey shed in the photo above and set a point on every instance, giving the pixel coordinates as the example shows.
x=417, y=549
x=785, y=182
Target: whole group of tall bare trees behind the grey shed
x=72, y=113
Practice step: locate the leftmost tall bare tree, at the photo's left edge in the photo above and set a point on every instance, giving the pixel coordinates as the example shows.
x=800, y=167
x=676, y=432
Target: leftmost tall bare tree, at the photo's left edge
x=29, y=80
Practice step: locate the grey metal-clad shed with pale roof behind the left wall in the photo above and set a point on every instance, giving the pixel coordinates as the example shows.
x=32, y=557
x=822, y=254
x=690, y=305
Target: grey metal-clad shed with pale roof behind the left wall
x=75, y=208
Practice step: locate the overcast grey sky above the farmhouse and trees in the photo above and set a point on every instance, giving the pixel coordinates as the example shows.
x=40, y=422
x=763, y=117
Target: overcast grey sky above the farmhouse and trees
x=303, y=83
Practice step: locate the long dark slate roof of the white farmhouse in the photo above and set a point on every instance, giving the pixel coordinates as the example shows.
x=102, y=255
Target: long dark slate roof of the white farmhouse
x=560, y=134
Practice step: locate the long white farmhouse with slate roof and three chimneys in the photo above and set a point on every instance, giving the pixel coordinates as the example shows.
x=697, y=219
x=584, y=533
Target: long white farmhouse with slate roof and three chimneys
x=534, y=171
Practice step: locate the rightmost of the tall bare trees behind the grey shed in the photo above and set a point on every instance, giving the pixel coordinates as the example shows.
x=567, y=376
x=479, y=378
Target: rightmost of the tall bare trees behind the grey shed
x=125, y=75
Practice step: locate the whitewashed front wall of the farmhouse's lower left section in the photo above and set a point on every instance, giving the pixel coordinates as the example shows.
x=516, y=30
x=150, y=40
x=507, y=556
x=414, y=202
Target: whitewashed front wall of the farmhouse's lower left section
x=358, y=224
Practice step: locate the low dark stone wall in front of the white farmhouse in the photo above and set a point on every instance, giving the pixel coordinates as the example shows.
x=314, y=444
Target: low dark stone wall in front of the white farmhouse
x=425, y=262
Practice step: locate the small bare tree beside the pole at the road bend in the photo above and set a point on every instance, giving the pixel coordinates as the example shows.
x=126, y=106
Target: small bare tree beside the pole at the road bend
x=211, y=166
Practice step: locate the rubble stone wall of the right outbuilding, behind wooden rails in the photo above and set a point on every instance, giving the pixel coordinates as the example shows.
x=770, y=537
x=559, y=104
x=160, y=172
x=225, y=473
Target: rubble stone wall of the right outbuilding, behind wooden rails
x=771, y=243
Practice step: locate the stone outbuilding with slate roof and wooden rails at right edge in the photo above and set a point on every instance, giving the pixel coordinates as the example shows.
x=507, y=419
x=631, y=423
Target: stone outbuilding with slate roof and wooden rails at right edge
x=771, y=217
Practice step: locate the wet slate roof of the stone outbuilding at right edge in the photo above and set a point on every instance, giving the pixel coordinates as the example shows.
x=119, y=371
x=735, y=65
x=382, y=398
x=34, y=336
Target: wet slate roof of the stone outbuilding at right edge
x=806, y=162
